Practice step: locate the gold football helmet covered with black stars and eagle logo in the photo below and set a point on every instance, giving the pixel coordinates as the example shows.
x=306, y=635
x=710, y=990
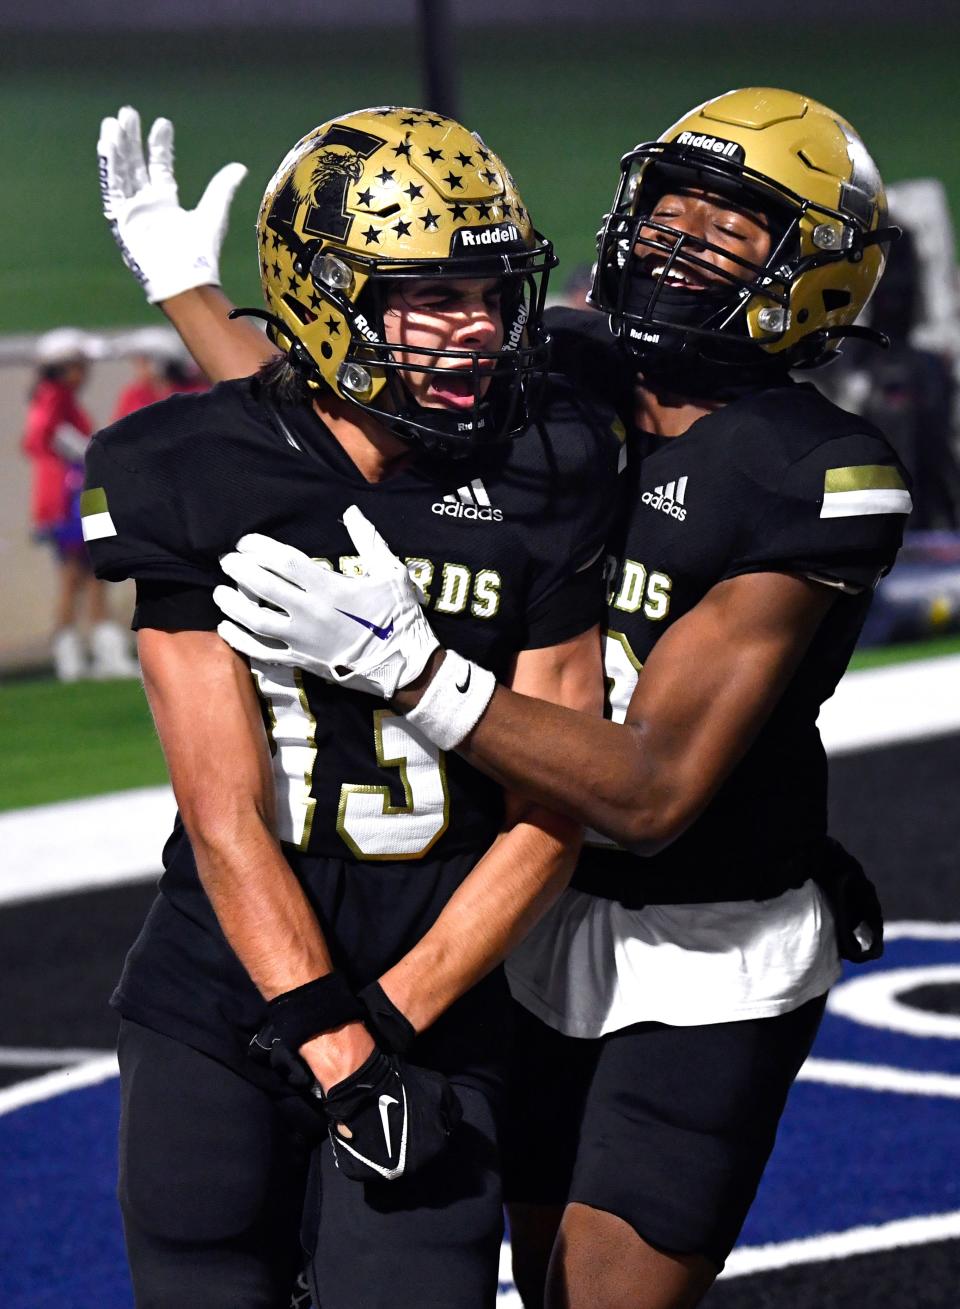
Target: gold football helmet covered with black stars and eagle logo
x=388, y=196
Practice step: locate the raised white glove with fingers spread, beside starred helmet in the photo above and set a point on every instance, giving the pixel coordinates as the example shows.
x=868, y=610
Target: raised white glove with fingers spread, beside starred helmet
x=167, y=248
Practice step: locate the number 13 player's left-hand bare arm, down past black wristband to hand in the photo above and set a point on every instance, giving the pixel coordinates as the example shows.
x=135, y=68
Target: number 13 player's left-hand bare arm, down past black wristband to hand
x=209, y=723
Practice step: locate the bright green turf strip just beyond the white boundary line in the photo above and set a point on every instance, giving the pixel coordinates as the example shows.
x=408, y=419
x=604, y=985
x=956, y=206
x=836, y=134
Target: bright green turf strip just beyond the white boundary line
x=61, y=743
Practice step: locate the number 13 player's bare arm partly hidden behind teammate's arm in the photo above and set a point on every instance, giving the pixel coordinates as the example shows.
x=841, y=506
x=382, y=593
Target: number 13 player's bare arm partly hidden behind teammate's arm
x=519, y=878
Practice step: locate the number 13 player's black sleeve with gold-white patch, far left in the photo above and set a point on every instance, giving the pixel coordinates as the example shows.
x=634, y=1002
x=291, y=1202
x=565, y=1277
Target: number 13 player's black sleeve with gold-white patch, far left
x=134, y=520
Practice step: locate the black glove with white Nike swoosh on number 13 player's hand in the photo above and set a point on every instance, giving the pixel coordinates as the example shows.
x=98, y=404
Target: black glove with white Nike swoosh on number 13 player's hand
x=390, y=1119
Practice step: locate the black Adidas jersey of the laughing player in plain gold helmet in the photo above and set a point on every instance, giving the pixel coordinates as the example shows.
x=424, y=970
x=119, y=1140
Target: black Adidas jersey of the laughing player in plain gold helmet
x=779, y=481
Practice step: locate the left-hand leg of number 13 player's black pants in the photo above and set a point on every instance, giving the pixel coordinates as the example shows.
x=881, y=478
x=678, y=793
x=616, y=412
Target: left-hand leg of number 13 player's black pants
x=212, y=1181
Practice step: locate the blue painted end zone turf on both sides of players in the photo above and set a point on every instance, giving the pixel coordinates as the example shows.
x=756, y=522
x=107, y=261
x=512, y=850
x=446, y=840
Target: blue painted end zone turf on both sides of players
x=845, y=1159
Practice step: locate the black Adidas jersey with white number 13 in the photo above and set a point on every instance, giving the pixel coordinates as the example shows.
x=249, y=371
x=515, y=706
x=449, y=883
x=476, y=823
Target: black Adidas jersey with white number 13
x=502, y=547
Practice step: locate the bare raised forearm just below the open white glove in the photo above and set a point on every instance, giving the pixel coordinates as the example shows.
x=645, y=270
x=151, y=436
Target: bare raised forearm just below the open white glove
x=222, y=348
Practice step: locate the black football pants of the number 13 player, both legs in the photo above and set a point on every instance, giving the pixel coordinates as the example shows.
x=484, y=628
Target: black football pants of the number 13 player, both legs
x=214, y=1192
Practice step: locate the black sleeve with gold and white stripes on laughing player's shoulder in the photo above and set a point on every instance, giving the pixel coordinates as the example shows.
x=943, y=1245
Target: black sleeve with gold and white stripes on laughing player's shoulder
x=838, y=515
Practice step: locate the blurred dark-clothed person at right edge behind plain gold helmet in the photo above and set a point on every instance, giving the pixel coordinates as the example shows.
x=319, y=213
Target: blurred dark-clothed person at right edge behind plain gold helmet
x=908, y=392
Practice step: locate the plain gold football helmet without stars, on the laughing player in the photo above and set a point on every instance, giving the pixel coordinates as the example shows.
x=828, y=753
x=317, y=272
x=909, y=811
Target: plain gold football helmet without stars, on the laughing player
x=776, y=154
